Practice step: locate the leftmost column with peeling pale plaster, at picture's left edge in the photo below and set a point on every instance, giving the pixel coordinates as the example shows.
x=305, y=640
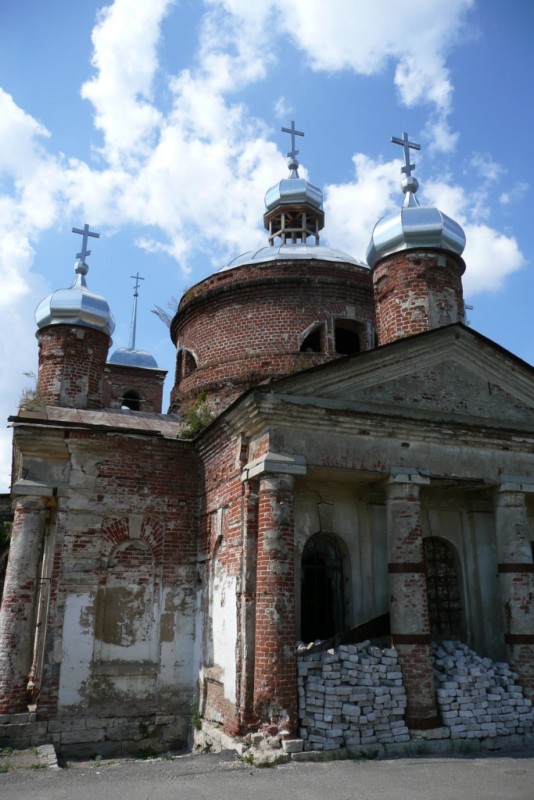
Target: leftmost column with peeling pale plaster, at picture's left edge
x=17, y=616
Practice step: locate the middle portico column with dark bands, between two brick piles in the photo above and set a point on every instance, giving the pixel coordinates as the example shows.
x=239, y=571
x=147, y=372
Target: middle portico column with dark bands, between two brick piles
x=410, y=629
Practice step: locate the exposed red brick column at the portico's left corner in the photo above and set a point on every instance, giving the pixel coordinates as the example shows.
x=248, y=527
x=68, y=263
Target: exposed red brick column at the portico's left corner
x=275, y=670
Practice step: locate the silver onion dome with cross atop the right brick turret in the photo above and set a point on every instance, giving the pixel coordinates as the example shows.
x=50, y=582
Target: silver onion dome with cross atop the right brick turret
x=413, y=226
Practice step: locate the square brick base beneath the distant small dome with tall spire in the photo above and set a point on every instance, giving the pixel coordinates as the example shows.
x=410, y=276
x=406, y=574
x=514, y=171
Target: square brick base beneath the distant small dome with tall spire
x=148, y=383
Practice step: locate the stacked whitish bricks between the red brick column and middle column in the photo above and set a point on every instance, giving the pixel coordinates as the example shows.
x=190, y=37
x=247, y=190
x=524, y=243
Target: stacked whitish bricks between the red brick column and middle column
x=350, y=696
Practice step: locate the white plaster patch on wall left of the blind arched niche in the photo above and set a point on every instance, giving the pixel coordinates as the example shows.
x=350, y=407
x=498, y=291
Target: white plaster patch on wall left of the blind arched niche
x=78, y=642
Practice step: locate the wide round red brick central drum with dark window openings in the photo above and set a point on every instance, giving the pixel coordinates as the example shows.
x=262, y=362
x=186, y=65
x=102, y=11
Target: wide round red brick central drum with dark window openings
x=243, y=325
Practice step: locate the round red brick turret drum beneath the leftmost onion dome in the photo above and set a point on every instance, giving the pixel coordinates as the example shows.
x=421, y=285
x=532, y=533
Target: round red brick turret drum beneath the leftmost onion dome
x=71, y=365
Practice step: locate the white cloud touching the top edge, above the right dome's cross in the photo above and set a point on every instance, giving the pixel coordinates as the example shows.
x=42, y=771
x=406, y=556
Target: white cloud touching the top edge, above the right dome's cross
x=366, y=38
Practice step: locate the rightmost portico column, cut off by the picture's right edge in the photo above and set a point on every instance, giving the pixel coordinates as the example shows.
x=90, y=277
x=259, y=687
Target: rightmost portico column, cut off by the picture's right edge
x=516, y=579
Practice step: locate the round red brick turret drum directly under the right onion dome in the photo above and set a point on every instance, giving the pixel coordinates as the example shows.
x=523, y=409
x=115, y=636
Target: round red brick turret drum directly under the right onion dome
x=415, y=291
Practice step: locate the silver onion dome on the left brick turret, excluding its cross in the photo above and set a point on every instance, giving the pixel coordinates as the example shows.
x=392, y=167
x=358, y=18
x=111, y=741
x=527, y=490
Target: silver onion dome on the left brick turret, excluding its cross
x=76, y=306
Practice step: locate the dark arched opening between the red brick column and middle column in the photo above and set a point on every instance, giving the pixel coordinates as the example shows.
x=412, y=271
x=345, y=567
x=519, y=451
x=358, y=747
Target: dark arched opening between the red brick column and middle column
x=322, y=596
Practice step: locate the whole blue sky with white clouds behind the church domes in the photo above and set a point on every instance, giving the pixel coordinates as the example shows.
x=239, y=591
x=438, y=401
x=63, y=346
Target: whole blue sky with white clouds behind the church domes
x=159, y=125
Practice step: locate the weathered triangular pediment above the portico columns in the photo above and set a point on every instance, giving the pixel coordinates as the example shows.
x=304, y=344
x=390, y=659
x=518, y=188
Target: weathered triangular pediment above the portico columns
x=450, y=373
